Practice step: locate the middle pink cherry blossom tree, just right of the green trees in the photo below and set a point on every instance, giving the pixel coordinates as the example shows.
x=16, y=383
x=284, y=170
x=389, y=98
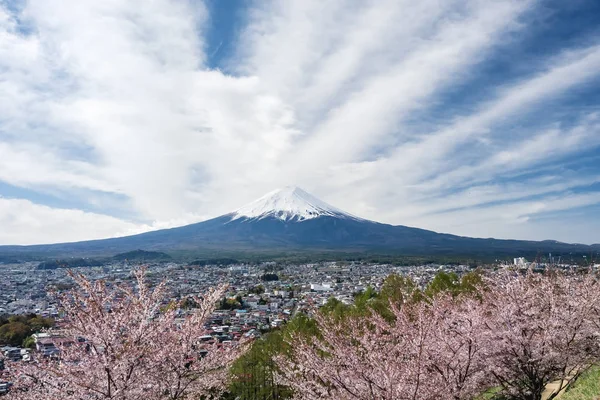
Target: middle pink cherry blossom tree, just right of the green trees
x=431, y=350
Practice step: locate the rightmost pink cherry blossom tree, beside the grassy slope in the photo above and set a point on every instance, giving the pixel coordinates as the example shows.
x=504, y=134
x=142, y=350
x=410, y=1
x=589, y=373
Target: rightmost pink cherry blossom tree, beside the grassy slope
x=541, y=328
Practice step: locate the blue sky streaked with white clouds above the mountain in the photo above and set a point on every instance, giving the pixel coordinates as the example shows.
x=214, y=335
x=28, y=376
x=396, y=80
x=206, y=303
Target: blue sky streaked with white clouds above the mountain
x=473, y=117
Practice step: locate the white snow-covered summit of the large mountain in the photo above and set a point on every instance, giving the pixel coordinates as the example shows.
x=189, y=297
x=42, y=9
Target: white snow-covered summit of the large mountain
x=288, y=203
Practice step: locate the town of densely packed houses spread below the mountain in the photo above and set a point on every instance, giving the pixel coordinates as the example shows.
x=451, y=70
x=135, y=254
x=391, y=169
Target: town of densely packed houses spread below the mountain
x=255, y=305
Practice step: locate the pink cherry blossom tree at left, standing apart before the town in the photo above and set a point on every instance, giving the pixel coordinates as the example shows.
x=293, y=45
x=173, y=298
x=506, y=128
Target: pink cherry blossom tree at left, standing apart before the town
x=125, y=342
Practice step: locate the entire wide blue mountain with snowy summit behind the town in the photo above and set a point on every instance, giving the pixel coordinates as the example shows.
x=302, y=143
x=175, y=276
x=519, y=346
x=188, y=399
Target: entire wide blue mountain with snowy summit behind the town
x=290, y=219
